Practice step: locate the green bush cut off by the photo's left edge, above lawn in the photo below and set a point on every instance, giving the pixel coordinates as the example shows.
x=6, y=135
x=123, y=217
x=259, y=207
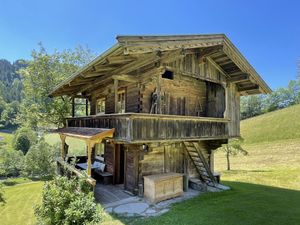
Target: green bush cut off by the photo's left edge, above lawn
x=11, y=162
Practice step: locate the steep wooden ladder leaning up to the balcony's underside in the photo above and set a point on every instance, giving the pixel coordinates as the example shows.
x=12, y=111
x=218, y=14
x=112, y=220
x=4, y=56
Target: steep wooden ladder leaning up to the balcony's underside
x=194, y=151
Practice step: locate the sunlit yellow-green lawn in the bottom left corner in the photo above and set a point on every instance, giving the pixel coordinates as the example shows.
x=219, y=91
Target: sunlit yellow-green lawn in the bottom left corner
x=20, y=200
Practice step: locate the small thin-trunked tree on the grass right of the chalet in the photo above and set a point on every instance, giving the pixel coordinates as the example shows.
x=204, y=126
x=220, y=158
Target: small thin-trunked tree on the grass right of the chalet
x=233, y=148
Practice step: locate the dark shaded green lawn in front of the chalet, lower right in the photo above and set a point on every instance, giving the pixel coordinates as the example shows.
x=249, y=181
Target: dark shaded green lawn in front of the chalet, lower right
x=246, y=204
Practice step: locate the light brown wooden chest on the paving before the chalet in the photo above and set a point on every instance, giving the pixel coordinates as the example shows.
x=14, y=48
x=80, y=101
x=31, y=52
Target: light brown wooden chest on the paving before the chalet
x=163, y=186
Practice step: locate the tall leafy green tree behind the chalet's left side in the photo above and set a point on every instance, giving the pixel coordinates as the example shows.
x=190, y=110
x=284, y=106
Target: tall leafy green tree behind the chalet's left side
x=41, y=75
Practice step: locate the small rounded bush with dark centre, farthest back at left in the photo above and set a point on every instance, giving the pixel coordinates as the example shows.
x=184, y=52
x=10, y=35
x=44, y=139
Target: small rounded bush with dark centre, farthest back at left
x=23, y=139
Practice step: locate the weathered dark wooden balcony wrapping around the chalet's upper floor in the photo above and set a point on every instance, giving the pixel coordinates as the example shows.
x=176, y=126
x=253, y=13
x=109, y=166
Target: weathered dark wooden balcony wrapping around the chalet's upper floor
x=139, y=127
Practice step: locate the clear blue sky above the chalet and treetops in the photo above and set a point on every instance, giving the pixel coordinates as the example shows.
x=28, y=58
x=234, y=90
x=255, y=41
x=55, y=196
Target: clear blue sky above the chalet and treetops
x=266, y=32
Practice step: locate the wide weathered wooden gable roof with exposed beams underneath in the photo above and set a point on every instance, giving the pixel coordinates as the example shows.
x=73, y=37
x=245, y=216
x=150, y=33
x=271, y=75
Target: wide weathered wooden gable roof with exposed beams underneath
x=132, y=52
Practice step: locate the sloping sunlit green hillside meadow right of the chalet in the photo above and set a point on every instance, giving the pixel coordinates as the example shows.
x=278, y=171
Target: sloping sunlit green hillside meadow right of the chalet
x=279, y=125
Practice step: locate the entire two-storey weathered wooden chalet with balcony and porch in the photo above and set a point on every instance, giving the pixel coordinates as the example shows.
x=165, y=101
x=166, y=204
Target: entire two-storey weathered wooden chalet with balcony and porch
x=159, y=105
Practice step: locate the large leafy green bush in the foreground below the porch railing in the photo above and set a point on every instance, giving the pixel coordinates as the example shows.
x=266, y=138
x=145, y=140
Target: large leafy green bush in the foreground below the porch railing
x=64, y=202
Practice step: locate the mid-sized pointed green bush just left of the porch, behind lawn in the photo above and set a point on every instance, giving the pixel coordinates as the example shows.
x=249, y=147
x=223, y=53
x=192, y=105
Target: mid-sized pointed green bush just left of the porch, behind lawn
x=40, y=160
